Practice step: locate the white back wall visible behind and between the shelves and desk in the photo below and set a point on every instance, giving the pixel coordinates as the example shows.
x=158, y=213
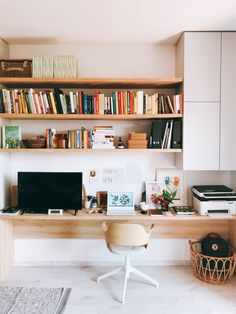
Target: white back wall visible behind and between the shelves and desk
x=103, y=61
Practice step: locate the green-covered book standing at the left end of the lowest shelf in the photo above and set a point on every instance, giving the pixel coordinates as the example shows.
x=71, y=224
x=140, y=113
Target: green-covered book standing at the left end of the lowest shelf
x=11, y=136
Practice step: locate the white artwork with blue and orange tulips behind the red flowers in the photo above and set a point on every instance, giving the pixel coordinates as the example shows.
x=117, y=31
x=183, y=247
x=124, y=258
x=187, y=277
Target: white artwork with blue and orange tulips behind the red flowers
x=172, y=180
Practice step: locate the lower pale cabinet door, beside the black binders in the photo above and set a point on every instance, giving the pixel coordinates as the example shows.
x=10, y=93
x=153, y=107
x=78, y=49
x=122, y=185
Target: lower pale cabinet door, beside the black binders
x=201, y=136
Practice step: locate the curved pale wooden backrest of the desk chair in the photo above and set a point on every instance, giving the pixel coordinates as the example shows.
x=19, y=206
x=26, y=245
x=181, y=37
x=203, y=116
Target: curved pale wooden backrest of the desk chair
x=126, y=234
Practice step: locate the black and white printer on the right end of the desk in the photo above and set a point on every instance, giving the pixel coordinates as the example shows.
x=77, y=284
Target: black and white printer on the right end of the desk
x=214, y=199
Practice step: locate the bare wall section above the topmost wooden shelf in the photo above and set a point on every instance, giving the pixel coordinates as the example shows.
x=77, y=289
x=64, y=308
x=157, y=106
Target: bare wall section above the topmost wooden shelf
x=110, y=60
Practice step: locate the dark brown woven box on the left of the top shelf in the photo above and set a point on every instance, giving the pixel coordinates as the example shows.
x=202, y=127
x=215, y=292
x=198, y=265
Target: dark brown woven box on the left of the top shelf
x=15, y=67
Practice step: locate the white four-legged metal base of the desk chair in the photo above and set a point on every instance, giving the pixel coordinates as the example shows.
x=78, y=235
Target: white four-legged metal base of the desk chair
x=128, y=269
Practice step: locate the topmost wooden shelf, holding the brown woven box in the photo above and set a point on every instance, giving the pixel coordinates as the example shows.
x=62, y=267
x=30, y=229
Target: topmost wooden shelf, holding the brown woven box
x=91, y=82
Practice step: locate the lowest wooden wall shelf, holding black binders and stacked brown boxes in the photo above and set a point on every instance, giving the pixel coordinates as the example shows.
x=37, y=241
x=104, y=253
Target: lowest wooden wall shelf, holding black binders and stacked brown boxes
x=58, y=150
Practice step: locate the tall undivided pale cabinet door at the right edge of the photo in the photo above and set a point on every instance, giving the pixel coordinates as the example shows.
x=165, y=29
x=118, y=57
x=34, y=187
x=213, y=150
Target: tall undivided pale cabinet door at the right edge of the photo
x=228, y=103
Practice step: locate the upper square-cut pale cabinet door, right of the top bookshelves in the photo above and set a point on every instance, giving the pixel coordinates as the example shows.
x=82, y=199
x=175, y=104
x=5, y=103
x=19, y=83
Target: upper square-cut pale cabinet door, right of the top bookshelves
x=202, y=66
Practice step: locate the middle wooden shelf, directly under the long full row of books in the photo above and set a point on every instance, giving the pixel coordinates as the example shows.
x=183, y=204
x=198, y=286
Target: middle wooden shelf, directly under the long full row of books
x=23, y=116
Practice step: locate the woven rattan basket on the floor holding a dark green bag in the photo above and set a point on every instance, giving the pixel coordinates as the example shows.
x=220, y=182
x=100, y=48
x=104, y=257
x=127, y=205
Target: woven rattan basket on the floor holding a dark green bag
x=213, y=270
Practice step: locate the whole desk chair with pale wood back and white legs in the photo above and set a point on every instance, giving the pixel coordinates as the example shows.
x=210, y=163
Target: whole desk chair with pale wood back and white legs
x=126, y=239
